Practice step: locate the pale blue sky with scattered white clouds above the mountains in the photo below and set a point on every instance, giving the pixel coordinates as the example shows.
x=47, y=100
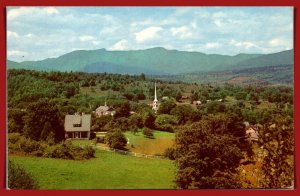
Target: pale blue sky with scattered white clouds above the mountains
x=36, y=33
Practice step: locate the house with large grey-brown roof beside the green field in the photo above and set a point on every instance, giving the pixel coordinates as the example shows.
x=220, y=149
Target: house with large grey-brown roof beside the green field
x=78, y=126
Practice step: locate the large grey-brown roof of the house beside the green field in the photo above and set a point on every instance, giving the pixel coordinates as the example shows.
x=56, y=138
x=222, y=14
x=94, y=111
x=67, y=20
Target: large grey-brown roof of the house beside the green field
x=83, y=121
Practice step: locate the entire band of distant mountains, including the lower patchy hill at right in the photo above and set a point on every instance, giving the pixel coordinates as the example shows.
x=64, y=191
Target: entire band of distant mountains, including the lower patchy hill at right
x=183, y=65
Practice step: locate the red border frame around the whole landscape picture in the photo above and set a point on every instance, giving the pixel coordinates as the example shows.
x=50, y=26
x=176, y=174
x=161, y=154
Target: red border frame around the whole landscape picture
x=4, y=3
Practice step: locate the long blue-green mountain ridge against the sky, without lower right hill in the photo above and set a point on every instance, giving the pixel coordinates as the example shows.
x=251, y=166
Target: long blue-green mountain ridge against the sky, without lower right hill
x=150, y=61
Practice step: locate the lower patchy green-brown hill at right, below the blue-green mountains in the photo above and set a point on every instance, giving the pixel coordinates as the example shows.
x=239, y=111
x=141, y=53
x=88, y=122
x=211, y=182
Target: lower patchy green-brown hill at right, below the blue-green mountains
x=268, y=75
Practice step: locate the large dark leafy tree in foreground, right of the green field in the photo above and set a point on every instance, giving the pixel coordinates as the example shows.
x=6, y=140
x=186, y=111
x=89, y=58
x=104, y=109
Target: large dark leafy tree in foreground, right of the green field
x=206, y=160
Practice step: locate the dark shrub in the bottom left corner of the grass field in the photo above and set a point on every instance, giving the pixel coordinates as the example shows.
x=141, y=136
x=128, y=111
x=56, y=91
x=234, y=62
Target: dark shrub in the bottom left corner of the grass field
x=18, y=178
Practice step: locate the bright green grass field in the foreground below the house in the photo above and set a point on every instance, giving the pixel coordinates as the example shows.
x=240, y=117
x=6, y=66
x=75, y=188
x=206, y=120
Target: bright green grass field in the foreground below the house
x=106, y=171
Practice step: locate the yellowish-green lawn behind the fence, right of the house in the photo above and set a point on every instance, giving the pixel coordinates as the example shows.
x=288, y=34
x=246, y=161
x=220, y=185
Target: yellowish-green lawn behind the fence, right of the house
x=138, y=143
